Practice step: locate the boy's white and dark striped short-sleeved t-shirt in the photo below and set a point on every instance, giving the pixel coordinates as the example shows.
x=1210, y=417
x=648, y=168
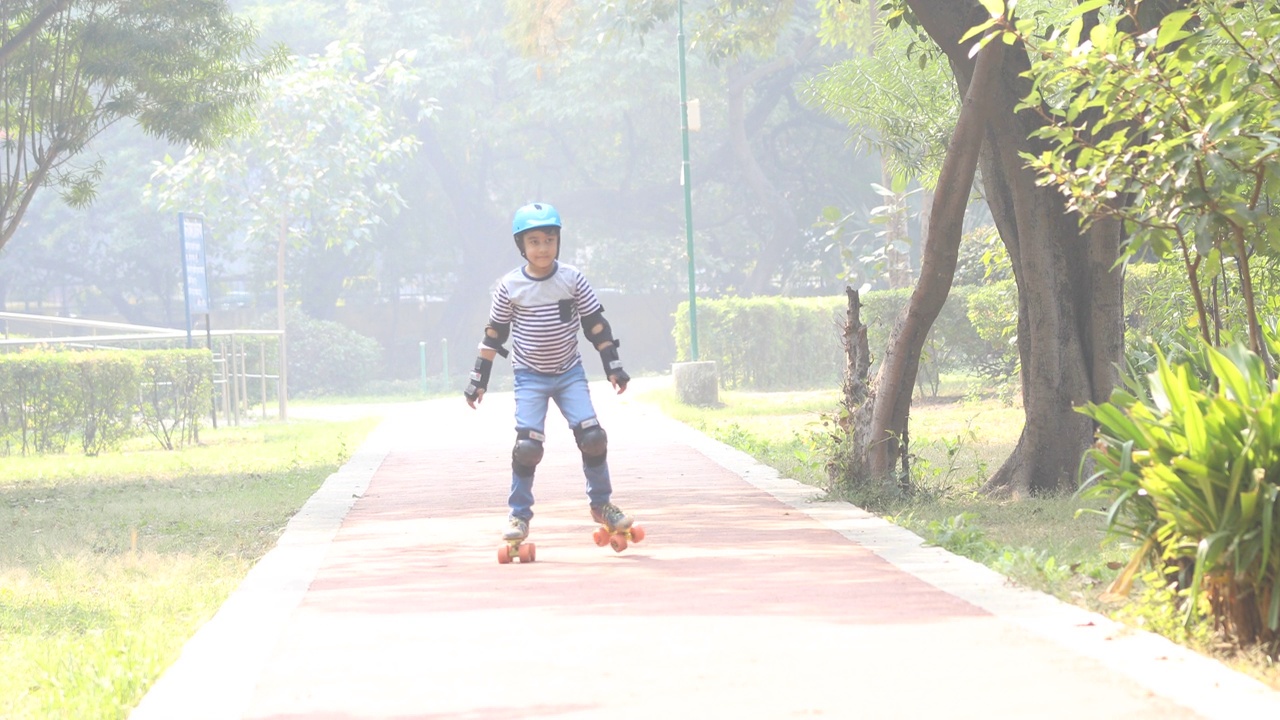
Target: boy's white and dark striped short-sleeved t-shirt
x=546, y=316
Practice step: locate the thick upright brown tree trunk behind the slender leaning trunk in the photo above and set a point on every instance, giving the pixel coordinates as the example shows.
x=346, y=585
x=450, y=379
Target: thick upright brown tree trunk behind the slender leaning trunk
x=1069, y=308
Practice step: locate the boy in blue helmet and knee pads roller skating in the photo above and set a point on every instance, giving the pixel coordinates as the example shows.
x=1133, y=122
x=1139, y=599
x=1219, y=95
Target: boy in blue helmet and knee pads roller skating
x=541, y=307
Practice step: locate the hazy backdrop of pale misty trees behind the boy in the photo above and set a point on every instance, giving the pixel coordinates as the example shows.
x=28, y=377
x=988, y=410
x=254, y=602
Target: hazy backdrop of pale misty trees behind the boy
x=419, y=127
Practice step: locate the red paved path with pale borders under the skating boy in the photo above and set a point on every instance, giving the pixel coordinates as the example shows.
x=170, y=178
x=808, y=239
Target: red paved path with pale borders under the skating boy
x=385, y=600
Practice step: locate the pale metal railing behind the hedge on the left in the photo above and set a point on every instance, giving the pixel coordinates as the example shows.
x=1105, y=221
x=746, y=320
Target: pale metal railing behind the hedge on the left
x=234, y=371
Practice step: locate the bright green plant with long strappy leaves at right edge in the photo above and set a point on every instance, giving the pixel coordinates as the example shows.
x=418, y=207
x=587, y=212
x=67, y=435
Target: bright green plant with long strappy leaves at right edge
x=1192, y=476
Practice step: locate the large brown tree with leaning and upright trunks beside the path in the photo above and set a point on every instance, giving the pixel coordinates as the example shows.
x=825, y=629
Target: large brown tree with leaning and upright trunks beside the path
x=1069, y=290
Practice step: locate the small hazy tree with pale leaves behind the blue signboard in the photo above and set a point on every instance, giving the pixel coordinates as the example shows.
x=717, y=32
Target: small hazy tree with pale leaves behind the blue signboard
x=314, y=161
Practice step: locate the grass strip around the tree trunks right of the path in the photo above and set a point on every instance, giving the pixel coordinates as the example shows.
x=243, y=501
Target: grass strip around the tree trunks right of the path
x=957, y=441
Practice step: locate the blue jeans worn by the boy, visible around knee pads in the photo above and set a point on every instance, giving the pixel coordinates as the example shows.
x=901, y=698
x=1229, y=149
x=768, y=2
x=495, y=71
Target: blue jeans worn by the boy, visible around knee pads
x=572, y=395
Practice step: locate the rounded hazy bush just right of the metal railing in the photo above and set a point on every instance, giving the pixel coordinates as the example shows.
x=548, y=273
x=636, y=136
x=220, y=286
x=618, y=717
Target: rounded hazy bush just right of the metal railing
x=327, y=358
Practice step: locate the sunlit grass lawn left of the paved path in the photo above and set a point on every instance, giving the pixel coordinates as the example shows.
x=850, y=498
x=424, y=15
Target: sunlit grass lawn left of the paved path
x=109, y=564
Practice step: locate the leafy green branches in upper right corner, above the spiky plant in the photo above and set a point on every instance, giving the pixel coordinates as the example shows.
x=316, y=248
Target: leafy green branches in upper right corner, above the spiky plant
x=1172, y=130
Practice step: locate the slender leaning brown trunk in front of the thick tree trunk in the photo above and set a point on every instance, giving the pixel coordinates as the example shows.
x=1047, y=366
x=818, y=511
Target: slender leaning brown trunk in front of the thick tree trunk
x=897, y=377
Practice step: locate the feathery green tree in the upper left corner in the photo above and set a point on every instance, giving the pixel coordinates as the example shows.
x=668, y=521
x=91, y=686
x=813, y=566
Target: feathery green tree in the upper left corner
x=184, y=71
